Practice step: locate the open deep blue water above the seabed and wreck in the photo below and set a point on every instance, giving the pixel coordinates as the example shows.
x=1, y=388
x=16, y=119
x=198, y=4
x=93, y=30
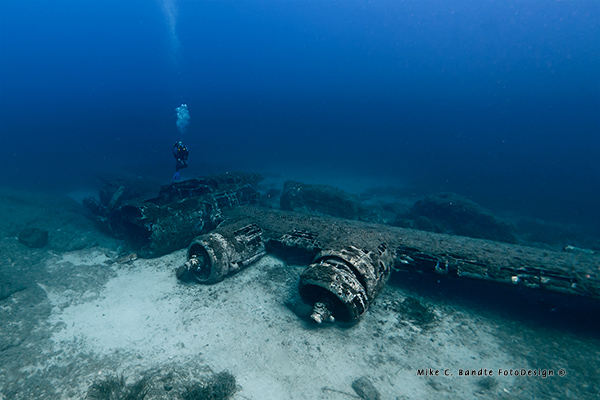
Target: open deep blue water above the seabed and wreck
x=497, y=100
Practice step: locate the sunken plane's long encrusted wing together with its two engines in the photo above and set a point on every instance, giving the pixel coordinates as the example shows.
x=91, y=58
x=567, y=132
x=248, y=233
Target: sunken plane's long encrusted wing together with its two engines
x=354, y=259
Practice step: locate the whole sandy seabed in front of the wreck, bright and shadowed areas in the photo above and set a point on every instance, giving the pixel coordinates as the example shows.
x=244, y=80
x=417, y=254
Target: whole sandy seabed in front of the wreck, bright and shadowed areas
x=80, y=316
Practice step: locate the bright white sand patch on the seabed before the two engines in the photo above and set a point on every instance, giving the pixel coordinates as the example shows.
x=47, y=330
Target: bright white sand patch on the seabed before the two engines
x=147, y=318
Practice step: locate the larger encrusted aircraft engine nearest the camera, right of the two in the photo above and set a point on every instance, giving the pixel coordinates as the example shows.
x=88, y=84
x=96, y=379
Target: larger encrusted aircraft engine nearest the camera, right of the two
x=341, y=284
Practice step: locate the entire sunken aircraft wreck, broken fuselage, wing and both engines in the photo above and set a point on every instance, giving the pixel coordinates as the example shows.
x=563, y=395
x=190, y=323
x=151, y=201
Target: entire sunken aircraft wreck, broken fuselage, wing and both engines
x=349, y=261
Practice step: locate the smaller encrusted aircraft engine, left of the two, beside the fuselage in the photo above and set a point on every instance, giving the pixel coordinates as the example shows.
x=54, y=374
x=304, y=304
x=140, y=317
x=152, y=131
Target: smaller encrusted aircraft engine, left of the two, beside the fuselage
x=213, y=256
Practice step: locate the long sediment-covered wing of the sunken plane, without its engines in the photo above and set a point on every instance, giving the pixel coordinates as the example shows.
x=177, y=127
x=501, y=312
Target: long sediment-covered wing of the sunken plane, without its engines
x=454, y=256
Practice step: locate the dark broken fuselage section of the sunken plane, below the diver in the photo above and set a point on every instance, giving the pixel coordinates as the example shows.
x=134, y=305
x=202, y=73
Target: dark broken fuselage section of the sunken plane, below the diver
x=181, y=212
